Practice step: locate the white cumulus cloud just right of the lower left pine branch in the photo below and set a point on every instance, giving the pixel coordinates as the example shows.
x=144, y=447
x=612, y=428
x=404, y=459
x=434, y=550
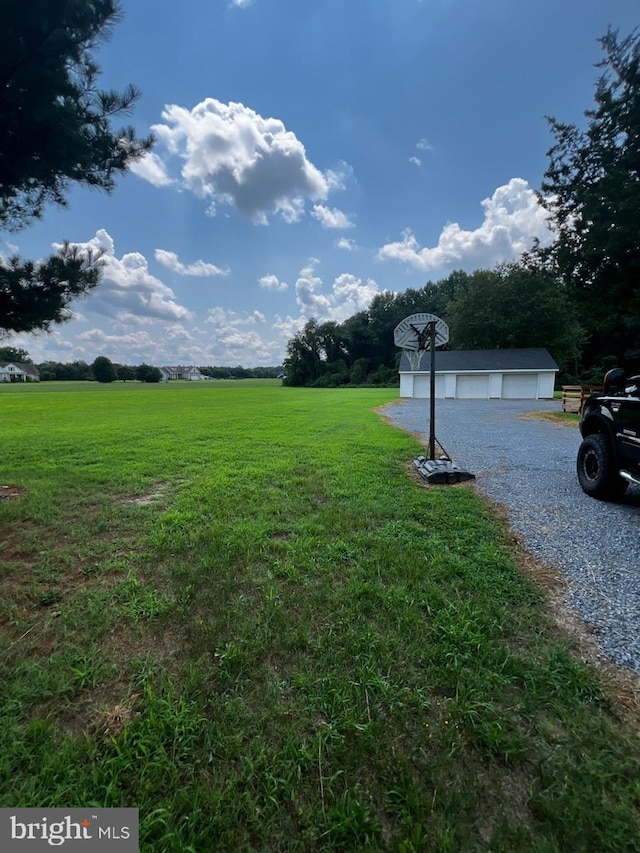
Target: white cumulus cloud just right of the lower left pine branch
x=127, y=286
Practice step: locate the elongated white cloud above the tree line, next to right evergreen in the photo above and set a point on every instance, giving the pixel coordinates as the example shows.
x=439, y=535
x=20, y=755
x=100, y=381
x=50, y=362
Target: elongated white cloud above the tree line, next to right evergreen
x=512, y=219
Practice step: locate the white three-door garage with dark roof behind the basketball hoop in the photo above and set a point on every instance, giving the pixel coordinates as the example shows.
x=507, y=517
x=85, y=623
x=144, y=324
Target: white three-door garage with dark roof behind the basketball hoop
x=508, y=374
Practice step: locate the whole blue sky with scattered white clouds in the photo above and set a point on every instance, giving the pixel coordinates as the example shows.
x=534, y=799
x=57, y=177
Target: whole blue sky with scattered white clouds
x=309, y=155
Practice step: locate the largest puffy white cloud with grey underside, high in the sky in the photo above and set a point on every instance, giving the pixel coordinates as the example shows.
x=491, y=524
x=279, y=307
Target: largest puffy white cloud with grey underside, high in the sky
x=231, y=154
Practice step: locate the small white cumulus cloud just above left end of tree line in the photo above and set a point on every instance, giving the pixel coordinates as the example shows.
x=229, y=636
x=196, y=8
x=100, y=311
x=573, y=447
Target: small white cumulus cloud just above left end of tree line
x=347, y=296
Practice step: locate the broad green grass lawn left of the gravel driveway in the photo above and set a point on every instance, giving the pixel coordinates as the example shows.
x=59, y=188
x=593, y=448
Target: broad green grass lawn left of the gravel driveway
x=232, y=606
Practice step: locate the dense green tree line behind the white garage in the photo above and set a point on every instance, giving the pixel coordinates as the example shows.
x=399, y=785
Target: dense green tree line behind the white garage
x=513, y=305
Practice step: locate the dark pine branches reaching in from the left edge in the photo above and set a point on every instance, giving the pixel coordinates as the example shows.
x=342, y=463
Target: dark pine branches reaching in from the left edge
x=56, y=132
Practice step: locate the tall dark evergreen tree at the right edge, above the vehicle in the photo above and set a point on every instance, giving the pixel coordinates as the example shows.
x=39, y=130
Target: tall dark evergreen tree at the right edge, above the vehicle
x=592, y=191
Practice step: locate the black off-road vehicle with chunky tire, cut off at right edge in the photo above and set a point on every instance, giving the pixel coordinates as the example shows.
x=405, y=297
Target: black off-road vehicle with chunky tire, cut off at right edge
x=609, y=456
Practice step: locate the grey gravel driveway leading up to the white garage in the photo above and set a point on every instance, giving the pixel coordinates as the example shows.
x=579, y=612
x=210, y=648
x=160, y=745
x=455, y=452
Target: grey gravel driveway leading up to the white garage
x=527, y=464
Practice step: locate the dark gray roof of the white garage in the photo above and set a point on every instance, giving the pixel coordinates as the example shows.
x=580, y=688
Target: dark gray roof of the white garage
x=467, y=361
